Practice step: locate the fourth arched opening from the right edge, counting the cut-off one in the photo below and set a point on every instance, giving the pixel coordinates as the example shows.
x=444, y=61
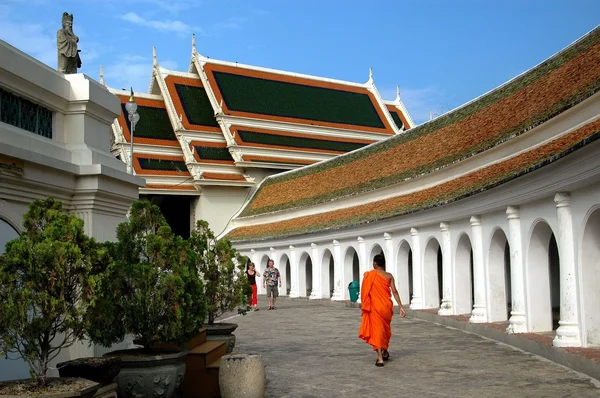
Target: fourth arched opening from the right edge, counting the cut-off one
x=463, y=276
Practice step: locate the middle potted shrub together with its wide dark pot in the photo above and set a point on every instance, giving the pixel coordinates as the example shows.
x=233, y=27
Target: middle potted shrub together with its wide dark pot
x=155, y=295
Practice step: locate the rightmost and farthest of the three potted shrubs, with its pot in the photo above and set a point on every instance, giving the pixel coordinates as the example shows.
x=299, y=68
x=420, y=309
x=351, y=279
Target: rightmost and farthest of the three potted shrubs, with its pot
x=225, y=285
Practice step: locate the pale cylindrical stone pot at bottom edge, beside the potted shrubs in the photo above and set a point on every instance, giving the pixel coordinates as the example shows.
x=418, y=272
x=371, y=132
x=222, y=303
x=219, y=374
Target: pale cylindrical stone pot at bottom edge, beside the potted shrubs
x=242, y=375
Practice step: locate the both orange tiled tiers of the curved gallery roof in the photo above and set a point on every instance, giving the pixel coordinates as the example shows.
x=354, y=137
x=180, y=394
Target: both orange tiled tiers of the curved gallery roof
x=499, y=116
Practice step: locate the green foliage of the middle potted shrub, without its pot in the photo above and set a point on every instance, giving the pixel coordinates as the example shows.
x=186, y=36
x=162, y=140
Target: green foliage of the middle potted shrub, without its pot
x=155, y=291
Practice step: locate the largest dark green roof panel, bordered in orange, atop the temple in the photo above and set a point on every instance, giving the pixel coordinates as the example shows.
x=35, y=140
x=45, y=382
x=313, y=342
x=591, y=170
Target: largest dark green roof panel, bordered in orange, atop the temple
x=282, y=99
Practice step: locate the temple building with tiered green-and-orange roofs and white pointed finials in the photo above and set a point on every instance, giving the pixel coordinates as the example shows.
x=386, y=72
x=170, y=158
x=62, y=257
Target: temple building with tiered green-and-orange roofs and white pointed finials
x=208, y=136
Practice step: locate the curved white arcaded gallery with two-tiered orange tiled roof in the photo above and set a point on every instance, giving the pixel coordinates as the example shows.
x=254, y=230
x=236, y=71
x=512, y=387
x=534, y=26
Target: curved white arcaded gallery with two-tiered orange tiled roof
x=490, y=211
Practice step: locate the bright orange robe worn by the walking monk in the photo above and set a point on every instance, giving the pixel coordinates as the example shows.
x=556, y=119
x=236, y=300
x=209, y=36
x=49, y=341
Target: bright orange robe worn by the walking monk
x=377, y=310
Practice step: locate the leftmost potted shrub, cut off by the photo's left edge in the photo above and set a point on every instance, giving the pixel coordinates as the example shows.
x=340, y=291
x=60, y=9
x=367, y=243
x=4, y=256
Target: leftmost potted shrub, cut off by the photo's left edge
x=48, y=278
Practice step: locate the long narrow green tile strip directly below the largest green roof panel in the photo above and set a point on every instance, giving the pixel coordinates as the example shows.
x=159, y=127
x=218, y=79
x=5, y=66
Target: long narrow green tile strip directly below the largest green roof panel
x=297, y=142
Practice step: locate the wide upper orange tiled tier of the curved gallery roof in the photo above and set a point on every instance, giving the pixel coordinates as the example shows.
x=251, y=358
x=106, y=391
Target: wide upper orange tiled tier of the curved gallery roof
x=506, y=112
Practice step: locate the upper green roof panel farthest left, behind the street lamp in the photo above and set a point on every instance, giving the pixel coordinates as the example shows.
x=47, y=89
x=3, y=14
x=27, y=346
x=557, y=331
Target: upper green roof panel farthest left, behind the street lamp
x=154, y=123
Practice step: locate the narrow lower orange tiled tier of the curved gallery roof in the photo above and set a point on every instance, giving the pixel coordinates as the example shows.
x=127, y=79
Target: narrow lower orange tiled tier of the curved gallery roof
x=439, y=195
